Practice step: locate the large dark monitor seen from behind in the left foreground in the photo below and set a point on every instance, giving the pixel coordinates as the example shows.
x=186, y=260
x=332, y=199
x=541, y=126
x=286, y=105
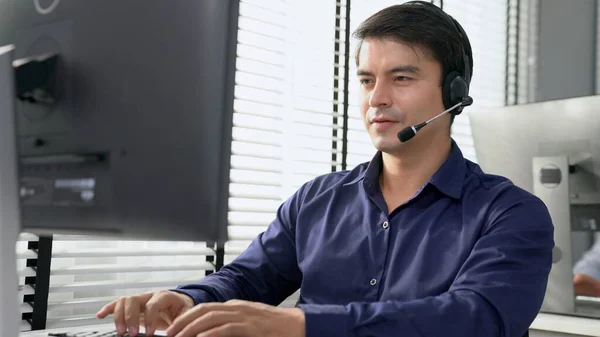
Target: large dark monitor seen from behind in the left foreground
x=134, y=139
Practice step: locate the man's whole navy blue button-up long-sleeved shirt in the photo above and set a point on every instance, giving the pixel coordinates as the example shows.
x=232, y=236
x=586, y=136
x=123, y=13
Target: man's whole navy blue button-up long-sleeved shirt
x=468, y=255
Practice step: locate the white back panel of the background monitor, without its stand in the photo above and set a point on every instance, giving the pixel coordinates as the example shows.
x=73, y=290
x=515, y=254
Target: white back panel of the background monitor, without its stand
x=506, y=139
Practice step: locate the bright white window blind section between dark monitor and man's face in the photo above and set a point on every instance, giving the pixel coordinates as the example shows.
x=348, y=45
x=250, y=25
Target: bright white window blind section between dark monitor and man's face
x=283, y=122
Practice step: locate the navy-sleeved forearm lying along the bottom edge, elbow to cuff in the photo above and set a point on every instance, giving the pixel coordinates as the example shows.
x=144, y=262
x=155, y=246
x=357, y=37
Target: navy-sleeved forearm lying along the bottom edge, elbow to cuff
x=459, y=313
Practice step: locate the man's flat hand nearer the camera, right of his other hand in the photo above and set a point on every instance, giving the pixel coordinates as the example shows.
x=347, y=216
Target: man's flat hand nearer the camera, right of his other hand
x=239, y=319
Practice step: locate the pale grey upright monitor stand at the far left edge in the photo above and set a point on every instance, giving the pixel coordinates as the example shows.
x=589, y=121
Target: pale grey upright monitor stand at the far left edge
x=10, y=222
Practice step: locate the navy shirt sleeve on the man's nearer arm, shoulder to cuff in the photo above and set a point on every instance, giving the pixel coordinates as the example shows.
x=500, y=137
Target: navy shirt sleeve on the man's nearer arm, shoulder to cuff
x=498, y=291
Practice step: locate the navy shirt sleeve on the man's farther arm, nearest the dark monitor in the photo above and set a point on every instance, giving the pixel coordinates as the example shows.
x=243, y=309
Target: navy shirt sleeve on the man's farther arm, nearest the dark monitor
x=267, y=271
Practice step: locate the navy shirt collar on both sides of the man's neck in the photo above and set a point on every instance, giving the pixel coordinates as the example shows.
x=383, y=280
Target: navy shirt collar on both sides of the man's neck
x=448, y=179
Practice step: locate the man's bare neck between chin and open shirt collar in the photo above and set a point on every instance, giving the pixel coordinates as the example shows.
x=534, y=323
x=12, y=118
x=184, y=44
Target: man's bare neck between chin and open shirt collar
x=404, y=173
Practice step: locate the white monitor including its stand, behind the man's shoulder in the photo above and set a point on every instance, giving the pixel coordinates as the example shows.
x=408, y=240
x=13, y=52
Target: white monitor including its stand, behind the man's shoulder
x=551, y=149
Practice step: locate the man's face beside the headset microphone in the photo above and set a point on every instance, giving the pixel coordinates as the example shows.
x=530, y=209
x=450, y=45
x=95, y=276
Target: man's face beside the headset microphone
x=400, y=87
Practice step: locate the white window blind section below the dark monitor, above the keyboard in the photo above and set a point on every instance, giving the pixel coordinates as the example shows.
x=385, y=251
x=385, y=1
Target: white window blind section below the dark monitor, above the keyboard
x=89, y=271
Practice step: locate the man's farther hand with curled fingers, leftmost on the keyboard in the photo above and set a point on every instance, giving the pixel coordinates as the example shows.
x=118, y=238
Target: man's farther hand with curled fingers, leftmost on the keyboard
x=155, y=310
